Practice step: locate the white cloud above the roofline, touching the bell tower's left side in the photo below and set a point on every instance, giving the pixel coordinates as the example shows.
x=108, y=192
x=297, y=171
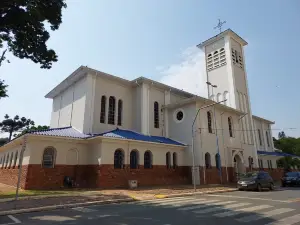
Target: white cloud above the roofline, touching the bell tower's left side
x=188, y=74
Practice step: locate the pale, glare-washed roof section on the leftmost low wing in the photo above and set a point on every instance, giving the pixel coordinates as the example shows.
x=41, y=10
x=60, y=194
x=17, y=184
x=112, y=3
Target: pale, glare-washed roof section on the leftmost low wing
x=62, y=132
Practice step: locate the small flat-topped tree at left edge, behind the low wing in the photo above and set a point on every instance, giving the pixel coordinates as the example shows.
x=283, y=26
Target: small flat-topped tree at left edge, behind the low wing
x=10, y=126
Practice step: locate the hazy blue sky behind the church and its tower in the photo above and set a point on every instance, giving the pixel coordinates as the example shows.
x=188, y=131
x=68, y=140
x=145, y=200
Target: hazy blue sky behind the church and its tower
x=157, y=39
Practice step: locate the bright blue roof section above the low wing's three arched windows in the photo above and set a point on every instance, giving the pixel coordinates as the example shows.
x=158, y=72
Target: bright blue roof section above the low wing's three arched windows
x=131, y=135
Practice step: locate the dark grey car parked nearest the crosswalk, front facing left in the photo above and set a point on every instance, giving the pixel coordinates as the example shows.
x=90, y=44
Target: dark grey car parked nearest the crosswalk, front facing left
x=255, y=181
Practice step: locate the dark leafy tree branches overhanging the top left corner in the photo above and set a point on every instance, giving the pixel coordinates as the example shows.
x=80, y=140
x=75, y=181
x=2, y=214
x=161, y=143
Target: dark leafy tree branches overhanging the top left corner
x=22, y=29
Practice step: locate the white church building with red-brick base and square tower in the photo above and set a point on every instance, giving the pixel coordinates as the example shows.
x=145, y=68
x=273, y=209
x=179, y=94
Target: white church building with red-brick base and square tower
x=106, y=131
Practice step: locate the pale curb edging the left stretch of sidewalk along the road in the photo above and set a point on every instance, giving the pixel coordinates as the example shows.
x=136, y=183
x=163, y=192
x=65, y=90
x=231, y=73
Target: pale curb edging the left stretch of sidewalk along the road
x=70, y=205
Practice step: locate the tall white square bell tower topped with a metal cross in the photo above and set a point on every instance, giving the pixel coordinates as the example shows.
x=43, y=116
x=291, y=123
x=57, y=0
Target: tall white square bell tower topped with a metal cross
x=226, y=70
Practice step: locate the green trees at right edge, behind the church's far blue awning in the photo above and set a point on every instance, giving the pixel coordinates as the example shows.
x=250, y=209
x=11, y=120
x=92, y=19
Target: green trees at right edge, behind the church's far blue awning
x=288, y=145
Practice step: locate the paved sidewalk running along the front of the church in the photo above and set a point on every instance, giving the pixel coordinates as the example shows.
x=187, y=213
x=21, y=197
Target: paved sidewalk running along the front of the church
x=92, y=197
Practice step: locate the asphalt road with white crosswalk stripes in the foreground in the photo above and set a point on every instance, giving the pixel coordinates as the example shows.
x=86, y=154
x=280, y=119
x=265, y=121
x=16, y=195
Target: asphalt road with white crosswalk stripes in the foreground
x=281, y=207
